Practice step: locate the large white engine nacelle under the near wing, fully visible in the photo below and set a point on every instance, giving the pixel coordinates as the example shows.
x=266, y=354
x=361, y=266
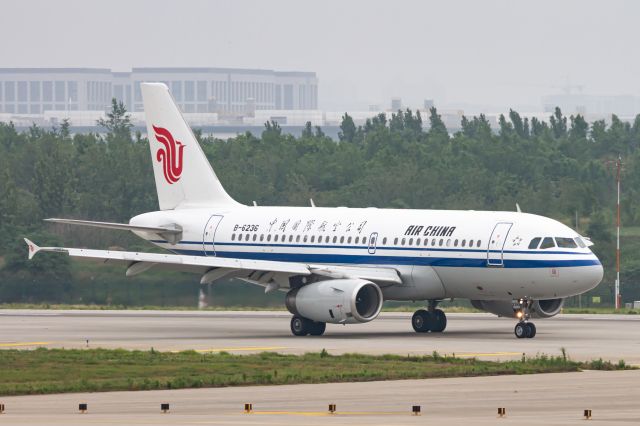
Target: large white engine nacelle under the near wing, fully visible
x=339, y=301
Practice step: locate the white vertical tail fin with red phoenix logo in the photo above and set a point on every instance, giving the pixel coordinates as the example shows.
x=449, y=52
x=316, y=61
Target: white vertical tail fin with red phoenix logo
x=184, y=177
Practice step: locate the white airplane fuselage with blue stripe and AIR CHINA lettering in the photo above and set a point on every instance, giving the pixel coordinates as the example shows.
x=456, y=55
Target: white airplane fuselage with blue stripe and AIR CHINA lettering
x=439, y=253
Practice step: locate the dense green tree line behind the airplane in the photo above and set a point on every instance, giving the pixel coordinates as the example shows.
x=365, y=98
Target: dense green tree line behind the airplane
x=558, y=168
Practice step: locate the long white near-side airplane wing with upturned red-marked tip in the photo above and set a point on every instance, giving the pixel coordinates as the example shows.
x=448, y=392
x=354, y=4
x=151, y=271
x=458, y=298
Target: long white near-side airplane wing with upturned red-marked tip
x=261, y=272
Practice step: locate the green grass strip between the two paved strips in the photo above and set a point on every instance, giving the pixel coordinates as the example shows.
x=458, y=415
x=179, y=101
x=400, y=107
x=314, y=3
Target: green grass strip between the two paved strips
x=43, y=371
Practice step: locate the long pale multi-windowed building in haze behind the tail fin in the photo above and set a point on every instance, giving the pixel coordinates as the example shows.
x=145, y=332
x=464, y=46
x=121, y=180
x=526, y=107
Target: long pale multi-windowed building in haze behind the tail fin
x=225, y=91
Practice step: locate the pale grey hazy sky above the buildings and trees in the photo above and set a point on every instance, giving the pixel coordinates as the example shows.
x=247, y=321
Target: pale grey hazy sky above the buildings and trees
x=494, y=53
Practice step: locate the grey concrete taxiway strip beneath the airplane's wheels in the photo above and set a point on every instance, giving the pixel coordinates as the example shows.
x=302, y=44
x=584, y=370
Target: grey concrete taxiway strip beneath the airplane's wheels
x=585, y=337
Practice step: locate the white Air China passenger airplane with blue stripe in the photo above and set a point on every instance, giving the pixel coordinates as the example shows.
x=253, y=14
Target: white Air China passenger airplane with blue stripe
x=338, y=265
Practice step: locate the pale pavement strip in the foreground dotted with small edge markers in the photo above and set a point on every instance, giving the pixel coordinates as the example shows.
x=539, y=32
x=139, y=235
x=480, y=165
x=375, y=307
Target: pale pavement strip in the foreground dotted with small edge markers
x=549, y=399
